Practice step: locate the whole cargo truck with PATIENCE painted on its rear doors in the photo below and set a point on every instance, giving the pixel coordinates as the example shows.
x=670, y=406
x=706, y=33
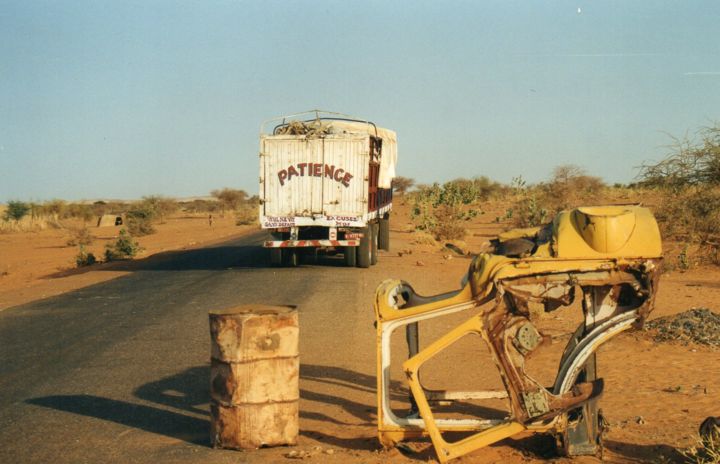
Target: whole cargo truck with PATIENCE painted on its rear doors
x=326, y=184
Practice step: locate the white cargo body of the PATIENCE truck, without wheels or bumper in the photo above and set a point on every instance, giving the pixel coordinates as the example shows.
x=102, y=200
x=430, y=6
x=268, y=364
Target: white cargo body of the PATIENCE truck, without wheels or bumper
x=322, y=181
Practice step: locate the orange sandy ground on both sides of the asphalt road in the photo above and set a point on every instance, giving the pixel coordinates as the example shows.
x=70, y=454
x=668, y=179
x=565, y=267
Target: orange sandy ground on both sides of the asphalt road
x=656, y=394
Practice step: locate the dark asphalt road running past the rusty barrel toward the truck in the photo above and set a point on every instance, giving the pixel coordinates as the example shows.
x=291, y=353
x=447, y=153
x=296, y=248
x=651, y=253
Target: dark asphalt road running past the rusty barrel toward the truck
x=118, y=371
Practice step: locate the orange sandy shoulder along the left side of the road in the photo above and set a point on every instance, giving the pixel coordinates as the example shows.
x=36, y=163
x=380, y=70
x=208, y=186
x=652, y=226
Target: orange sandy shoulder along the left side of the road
x=40, y=264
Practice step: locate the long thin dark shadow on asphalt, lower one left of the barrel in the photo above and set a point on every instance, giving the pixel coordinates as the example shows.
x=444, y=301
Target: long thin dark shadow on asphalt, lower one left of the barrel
x=150, y=419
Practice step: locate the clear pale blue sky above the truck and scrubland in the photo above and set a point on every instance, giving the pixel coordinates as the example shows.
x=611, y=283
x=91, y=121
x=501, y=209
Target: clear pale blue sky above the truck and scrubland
x=119, y=99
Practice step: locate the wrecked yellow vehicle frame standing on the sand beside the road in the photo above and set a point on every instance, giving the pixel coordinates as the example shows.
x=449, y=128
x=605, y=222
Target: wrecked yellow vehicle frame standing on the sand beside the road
x=609, y=256
